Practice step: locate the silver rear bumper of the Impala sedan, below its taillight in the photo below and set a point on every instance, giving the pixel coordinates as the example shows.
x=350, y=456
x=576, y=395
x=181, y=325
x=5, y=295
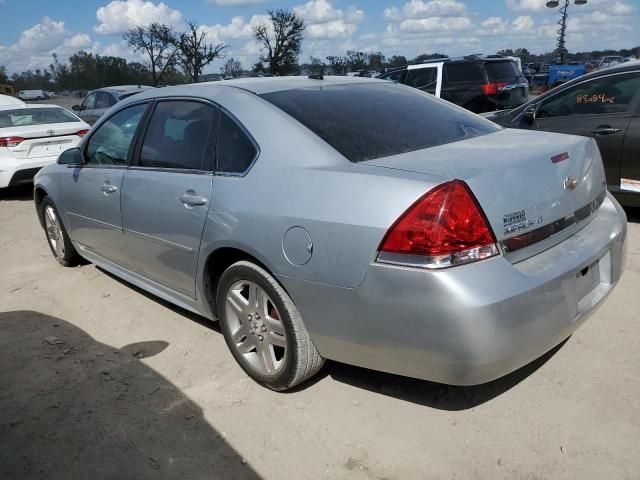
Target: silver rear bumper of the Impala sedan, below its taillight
x=469, y=324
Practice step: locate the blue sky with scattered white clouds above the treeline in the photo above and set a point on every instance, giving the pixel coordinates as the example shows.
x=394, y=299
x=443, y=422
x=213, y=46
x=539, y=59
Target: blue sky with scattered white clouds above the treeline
x=32, y=30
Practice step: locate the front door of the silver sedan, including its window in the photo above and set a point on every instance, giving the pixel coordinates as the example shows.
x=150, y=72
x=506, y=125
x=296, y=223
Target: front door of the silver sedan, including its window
x=92, y=191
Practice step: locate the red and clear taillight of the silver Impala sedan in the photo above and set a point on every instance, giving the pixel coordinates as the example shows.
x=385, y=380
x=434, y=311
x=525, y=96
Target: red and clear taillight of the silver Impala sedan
x=445, y=227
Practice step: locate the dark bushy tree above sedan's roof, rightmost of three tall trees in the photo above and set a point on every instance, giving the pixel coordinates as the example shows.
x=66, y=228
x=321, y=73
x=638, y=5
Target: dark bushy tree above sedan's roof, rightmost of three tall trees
x=282, y=39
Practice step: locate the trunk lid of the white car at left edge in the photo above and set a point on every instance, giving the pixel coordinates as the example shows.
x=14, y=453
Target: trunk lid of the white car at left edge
x=42, y=140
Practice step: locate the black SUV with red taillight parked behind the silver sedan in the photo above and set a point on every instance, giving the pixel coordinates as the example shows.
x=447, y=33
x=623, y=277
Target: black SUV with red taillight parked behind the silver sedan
x=477, y=83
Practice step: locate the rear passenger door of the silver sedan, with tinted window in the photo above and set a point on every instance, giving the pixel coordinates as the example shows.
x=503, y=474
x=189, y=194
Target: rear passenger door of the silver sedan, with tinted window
x=166, y=194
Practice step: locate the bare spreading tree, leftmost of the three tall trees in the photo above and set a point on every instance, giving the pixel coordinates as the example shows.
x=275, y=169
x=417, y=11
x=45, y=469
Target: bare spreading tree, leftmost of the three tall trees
x=159, y=43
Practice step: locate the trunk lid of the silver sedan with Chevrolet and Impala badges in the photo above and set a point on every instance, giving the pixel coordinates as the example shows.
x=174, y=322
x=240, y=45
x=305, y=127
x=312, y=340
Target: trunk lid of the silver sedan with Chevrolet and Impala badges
x=532, y=186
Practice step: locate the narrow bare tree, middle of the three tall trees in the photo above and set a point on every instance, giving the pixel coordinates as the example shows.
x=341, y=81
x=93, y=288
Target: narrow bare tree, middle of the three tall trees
x=194, y=53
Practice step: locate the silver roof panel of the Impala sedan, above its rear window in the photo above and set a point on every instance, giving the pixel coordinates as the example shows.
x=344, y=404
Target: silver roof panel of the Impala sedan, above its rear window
x=260, y=85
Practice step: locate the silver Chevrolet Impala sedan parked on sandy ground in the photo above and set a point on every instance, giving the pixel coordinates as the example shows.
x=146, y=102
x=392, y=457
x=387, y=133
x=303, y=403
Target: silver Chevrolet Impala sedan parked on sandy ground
x=342, y=218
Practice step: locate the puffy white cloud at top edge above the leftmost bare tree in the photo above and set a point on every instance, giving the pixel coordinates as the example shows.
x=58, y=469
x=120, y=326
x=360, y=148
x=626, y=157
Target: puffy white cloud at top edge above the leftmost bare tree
x=121, y=15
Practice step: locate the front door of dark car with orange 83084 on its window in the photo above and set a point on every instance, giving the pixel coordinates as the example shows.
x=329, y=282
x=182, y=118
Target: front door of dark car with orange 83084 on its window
x=600, y=108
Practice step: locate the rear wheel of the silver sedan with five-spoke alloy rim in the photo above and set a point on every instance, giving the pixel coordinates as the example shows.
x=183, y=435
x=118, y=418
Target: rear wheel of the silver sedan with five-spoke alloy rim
x=263, y=328
